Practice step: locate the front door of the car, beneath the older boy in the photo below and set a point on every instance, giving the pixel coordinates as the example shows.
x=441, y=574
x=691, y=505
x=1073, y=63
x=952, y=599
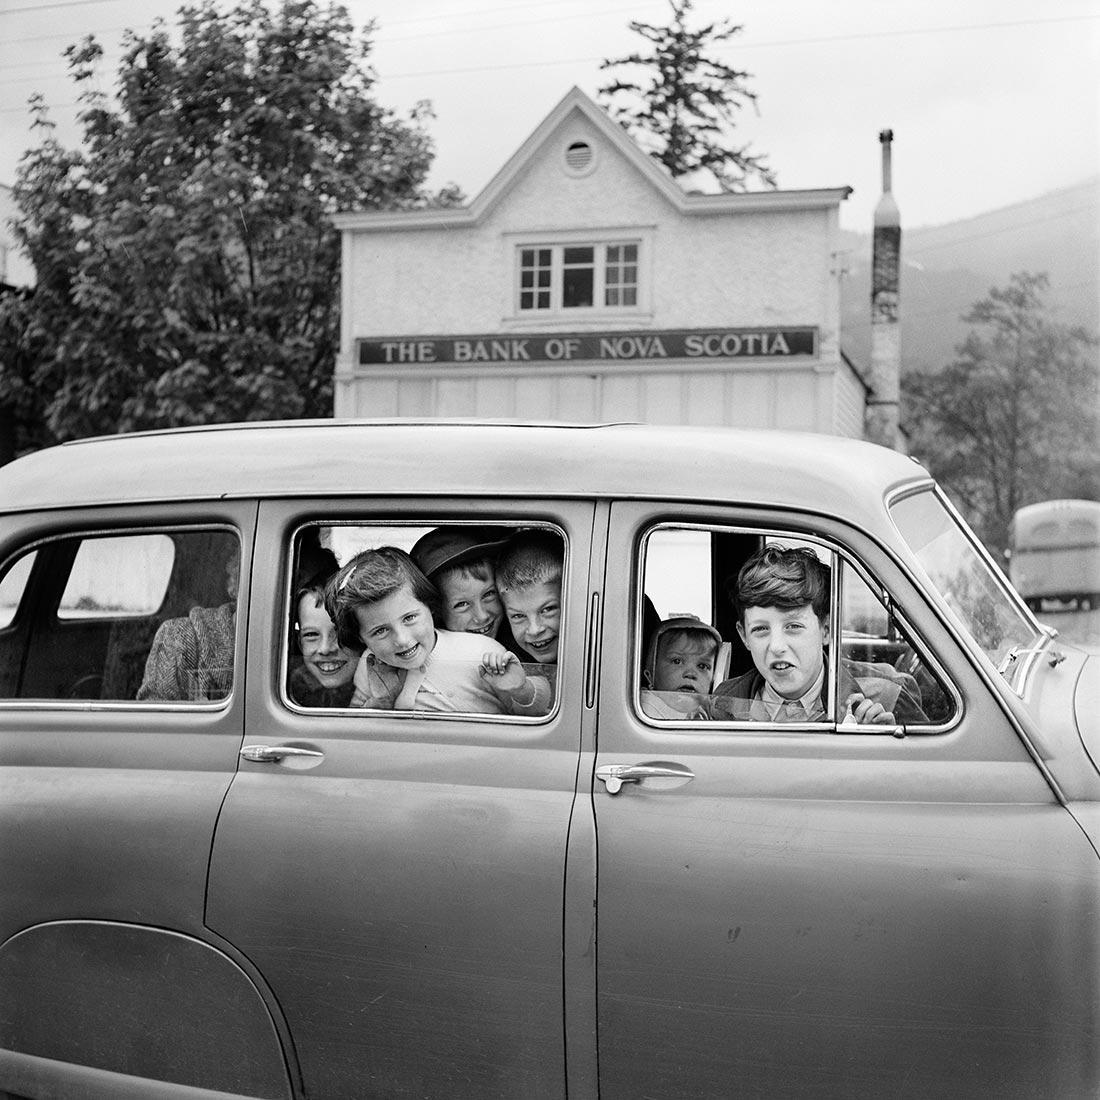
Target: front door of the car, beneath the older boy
x=821, y=910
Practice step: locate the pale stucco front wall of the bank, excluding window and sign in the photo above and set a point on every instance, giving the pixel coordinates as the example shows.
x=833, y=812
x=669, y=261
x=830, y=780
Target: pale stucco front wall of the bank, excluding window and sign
x=733, y=270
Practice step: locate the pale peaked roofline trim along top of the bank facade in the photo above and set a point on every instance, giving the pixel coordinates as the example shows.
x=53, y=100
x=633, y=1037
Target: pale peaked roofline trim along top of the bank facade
x=577, y=102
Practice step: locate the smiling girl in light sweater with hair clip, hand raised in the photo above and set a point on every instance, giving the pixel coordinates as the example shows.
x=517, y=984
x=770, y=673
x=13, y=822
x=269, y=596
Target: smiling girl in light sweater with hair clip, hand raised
x=382, y=600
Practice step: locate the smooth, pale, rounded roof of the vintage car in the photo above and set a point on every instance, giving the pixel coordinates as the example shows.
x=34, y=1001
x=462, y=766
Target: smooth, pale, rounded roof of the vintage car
x=446, y=458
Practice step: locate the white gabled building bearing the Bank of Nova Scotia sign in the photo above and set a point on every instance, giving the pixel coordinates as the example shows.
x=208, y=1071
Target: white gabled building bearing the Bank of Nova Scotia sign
x=585, y=284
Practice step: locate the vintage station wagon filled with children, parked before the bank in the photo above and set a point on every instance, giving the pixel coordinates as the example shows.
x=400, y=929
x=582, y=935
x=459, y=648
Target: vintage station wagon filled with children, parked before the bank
x=217, y=886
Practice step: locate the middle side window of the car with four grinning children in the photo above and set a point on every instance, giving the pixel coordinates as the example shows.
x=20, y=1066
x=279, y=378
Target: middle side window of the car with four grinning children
x=439, y=619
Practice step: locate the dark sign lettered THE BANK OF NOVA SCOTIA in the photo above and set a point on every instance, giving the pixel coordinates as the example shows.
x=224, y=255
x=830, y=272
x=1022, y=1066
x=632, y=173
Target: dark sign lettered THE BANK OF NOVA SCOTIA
x=592, y=347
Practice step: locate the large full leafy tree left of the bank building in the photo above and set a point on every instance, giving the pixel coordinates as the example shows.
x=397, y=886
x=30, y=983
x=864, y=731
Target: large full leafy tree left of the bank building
x=188, y=268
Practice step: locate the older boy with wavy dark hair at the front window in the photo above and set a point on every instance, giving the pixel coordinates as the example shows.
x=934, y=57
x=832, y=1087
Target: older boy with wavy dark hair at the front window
x=783, y=608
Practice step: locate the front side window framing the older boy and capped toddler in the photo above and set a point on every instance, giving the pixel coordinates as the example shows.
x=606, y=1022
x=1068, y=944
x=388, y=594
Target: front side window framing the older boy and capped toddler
x=742, y=626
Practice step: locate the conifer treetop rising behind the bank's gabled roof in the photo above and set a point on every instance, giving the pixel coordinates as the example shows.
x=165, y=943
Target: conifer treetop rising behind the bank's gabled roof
x=685, y=111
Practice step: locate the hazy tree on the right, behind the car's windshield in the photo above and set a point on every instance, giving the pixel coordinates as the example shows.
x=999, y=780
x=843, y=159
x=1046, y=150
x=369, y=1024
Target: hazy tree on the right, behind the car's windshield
x=1014, y=420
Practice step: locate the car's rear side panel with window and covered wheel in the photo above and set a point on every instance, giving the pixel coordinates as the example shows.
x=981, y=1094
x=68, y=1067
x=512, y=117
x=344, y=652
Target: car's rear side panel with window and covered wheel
x=111, y=786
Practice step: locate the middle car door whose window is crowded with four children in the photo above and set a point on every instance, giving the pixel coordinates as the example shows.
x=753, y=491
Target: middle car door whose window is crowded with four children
x=399, y=878
